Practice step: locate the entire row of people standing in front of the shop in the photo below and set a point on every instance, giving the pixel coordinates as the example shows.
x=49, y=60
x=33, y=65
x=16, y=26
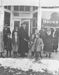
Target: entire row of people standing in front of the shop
x=41, y=42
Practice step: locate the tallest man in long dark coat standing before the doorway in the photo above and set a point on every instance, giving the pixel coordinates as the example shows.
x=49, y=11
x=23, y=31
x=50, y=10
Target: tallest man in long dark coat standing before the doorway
x=23, y=41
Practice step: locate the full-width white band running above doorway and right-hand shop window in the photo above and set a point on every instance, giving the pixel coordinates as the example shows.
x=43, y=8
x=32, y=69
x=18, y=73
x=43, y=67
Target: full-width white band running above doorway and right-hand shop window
x=44, y=3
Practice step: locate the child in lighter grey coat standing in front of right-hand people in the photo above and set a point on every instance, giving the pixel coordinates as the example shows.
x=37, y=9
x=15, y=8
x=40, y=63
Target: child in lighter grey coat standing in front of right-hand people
x=38, y=46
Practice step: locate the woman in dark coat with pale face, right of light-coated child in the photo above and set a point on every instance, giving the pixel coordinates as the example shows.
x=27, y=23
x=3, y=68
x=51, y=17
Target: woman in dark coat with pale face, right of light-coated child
x=48, y=45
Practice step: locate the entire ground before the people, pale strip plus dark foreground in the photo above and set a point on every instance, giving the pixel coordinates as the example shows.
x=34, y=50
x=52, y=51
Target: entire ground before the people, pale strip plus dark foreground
x=26, y=66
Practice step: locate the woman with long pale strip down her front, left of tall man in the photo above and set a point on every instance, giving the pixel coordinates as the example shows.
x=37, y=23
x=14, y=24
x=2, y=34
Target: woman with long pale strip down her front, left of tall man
x=15, y=41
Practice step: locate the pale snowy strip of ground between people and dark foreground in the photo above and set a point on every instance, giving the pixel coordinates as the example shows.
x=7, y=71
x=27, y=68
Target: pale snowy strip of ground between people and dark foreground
x=26, y=64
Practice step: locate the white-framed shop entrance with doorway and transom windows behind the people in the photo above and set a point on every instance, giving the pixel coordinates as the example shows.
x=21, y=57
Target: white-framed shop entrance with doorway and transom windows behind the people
x=15, y=13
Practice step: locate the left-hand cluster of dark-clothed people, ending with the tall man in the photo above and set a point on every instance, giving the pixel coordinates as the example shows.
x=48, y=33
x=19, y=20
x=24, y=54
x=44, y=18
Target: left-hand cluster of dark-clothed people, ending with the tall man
x=16, y=42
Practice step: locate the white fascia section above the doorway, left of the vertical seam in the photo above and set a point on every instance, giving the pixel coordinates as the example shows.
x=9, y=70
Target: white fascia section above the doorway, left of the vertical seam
x=20, y=2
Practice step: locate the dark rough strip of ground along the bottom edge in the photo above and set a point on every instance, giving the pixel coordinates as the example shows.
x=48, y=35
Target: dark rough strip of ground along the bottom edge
x=18, y=72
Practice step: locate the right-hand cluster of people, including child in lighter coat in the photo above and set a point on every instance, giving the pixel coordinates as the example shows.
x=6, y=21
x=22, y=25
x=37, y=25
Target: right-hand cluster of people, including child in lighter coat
x=44, y=42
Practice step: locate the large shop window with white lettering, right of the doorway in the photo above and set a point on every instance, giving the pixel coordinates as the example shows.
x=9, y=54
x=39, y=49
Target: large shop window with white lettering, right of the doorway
x=50, y=18
